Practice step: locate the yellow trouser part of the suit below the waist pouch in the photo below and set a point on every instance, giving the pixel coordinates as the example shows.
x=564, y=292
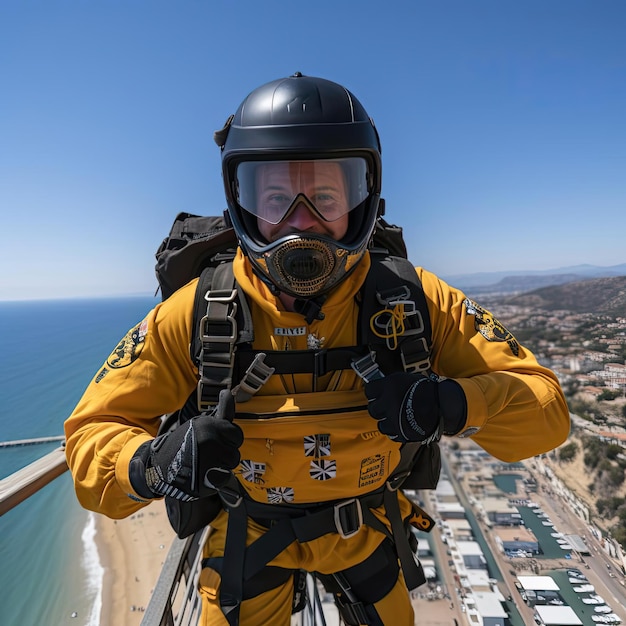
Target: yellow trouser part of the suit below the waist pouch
x=328, y=554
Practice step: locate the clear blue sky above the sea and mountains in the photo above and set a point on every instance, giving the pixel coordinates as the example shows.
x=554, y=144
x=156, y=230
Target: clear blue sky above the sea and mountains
x=503, y=125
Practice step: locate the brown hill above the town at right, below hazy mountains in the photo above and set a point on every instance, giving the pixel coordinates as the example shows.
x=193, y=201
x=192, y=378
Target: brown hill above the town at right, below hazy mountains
x=598, y=295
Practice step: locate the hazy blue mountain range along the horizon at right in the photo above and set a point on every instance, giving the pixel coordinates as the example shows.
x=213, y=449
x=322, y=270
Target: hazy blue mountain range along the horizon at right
x=521, y=281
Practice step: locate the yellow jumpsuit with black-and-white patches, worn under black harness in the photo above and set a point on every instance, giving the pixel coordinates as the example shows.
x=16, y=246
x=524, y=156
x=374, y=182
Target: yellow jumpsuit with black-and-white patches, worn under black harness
x=317, y=446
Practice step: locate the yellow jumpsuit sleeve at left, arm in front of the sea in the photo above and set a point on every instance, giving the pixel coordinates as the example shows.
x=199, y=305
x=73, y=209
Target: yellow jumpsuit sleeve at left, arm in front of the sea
x=149, y=373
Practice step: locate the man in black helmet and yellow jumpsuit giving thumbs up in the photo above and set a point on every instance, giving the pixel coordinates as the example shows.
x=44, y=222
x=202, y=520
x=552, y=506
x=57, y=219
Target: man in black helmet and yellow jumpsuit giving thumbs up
x=307, y=468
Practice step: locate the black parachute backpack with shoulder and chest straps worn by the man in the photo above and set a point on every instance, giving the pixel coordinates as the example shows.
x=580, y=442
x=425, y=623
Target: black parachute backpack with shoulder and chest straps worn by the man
x=204, y=247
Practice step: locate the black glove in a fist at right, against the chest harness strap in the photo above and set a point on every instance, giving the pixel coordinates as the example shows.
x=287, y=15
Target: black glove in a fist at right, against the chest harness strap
x=414, y=407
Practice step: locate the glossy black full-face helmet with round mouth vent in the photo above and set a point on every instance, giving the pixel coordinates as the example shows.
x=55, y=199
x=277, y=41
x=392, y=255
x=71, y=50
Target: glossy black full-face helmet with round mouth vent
x=301, y=122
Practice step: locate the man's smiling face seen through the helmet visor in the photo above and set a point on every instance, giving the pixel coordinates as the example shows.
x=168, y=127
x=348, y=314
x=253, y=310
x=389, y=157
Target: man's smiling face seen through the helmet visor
x=324, y=186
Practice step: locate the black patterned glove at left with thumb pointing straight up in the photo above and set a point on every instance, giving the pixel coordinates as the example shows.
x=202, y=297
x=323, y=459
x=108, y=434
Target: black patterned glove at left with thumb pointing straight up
x=192, y=460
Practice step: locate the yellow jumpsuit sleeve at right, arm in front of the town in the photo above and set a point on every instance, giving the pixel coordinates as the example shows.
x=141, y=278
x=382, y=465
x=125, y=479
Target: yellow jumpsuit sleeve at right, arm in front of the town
x=516, y=408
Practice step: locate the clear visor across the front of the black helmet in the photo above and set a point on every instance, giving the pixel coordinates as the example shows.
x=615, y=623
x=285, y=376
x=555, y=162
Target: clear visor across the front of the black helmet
x=270, y=190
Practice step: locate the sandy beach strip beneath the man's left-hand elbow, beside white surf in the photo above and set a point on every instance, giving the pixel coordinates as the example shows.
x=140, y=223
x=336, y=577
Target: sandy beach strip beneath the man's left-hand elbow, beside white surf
x=132, y=551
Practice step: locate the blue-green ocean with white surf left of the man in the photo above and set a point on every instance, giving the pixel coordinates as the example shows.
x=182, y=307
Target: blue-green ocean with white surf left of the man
x=50, y=571
